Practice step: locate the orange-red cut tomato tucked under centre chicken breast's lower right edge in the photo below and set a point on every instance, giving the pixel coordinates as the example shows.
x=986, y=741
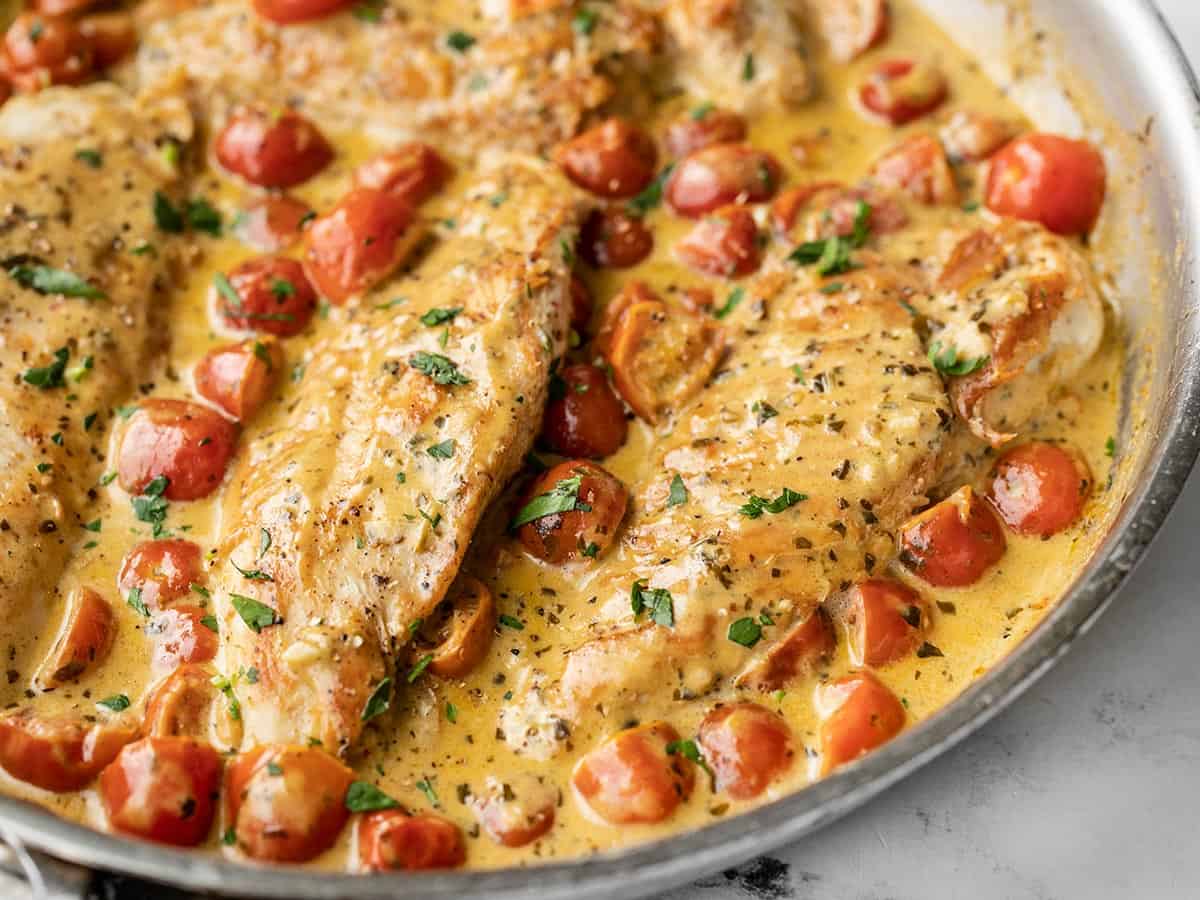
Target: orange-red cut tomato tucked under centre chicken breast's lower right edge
x=457, y=638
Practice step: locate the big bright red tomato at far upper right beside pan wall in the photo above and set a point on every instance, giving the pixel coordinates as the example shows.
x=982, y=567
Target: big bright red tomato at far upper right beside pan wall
x=1048, y=179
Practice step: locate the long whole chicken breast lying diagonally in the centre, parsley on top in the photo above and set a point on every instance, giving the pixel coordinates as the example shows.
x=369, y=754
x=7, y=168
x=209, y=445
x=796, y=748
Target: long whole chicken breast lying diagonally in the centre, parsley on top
x=353, y=512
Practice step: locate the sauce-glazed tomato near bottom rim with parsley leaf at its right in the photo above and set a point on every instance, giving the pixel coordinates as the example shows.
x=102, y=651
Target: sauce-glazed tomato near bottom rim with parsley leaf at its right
x=632, y=779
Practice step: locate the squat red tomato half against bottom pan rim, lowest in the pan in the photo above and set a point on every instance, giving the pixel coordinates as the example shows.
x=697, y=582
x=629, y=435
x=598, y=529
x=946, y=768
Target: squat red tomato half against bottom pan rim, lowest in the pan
x=394, y=841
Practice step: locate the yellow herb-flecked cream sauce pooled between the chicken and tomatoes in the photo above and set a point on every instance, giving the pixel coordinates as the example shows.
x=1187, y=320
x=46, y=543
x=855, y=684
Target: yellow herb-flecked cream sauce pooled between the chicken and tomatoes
x=974, y=627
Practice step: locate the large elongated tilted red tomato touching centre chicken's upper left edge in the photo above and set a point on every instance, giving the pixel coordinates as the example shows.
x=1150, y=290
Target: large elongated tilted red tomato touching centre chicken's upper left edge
x=358, y=243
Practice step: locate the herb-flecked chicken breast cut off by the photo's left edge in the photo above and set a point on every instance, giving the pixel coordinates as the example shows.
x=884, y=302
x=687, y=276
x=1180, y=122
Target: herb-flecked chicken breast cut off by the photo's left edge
x=86, y=272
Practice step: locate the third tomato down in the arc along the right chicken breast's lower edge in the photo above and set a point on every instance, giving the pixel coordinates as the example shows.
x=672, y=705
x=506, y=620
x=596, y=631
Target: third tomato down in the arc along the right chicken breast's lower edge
x=886, y=621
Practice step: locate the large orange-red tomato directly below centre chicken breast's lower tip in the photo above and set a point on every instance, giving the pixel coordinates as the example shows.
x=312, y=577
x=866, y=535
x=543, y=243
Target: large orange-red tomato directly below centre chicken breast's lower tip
x=286, y=803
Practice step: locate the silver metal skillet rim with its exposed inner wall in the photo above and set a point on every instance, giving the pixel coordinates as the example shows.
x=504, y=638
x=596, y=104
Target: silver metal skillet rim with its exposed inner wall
x=1124, y=49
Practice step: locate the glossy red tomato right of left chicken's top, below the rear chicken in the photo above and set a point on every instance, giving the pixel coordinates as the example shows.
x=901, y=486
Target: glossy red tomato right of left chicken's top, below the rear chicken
x=273, y=151
